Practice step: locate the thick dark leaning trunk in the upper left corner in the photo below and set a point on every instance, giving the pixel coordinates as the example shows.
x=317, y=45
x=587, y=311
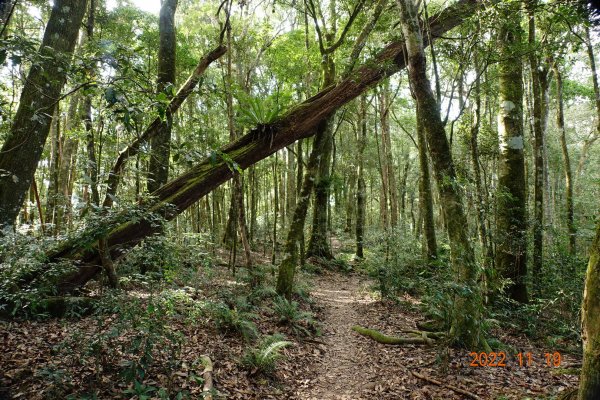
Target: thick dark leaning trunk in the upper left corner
x=24, y=144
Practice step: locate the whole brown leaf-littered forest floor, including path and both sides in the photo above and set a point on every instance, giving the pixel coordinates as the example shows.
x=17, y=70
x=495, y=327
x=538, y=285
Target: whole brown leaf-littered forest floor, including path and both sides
x=87, y=356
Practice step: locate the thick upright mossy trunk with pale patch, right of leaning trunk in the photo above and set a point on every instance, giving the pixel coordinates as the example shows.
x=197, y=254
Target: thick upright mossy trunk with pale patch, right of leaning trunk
x=511, y=254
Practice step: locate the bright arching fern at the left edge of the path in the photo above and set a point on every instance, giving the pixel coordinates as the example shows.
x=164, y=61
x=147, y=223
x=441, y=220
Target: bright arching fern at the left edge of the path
x=263, y=358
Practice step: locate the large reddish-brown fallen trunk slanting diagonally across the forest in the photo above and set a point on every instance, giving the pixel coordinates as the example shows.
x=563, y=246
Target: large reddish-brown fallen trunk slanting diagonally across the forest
x=262, y=141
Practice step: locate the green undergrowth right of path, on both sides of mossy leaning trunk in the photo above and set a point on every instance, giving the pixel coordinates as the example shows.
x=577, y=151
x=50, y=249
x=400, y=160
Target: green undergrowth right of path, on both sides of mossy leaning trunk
x=394, y=262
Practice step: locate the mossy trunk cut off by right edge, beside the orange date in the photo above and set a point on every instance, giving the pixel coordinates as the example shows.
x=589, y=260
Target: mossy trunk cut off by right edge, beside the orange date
x=589, y=380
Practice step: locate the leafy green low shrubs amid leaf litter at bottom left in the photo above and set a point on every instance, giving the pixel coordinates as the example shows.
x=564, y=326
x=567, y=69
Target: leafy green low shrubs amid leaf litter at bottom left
x=128, y=343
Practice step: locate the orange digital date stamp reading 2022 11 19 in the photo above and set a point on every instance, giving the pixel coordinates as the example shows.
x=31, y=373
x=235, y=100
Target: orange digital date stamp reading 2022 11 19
x=523, y=360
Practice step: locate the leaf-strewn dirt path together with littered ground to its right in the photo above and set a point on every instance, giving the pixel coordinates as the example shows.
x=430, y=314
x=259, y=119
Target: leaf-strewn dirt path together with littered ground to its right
x=355, y=367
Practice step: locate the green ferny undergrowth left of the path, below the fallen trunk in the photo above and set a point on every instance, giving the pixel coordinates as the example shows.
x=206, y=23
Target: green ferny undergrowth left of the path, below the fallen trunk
x=131, y=338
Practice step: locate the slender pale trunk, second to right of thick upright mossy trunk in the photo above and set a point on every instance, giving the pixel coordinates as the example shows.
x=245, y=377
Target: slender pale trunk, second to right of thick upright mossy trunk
x=560, y=122
